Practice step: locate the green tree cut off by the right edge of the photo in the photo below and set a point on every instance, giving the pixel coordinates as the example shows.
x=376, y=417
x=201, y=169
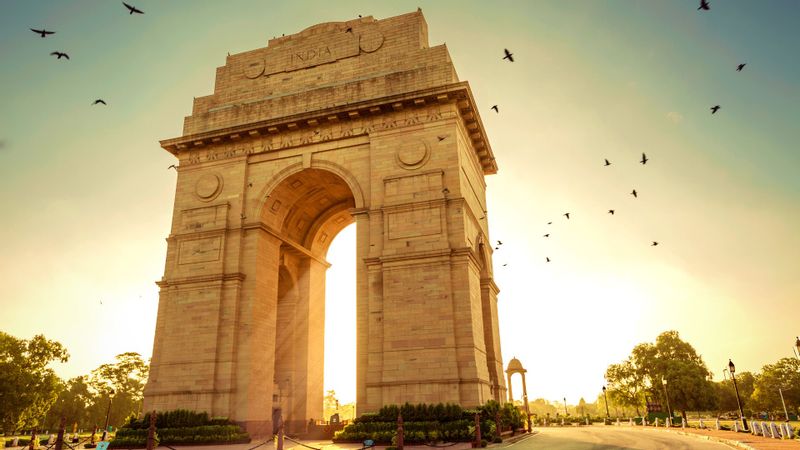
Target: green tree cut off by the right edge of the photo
x=784, y=375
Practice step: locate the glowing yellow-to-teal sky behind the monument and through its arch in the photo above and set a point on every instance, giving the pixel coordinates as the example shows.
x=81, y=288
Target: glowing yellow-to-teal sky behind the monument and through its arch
x=87, y=199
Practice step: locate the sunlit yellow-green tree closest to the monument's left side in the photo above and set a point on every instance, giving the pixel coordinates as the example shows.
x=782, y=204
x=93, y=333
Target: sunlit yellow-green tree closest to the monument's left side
x=120, y=384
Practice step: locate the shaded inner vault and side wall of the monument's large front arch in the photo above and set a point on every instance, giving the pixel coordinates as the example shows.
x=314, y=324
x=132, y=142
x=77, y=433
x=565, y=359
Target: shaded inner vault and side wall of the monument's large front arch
x=305, y=211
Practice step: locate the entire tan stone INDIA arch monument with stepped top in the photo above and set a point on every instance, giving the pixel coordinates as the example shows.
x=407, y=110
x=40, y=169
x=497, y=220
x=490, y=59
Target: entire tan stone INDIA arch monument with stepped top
x=359, y=121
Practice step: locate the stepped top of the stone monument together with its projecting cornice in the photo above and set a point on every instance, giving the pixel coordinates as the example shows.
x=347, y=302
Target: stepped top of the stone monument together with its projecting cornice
x=337, y=71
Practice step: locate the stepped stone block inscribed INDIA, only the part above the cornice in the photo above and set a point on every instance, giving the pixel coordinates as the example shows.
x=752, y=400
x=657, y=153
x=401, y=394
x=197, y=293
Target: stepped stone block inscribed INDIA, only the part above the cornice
x=323, y=66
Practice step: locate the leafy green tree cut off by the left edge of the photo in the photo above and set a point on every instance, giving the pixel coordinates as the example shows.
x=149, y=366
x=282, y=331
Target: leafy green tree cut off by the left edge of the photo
x=28, y=386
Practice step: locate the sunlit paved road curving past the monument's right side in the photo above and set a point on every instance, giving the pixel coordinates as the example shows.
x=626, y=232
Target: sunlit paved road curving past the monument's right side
x=608, y=438
